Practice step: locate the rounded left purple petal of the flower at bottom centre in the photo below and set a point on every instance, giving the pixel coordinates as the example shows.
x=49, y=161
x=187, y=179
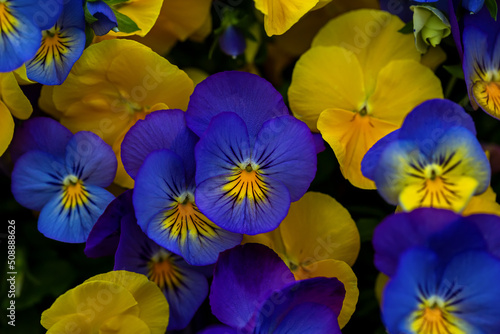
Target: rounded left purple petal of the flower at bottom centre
x=238, y=290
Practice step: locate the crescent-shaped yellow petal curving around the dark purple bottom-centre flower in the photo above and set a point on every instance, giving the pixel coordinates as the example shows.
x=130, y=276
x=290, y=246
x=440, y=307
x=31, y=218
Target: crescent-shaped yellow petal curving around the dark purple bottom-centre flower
x=343, y=272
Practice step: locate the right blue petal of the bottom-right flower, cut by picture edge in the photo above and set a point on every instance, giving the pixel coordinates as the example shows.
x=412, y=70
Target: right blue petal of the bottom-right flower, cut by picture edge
x=475, y=274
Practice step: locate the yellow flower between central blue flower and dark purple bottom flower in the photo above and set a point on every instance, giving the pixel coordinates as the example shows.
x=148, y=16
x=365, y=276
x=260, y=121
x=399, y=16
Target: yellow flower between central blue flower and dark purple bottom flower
x=318, y=238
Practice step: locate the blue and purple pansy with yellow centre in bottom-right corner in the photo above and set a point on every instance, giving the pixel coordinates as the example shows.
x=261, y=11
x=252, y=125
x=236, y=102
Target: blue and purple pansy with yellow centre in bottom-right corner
x=439, y=264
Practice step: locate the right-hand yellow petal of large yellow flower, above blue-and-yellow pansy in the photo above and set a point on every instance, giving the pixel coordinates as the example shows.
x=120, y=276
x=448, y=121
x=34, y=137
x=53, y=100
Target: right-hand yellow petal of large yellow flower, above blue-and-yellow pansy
x=401, y=86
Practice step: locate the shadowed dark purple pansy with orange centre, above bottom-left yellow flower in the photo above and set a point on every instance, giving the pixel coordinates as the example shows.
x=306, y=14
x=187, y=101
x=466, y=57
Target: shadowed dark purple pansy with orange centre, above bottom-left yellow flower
x=117, y=233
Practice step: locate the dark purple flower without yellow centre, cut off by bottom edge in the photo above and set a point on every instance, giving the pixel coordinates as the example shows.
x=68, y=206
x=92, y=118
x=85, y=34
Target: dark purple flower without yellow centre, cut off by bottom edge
x=268, y=299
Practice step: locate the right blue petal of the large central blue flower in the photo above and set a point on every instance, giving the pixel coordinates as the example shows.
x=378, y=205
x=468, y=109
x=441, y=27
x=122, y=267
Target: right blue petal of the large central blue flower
x=285, y=151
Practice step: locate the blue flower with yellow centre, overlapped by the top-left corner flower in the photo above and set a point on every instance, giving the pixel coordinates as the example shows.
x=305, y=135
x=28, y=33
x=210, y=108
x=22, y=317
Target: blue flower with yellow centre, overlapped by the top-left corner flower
x=60, y=48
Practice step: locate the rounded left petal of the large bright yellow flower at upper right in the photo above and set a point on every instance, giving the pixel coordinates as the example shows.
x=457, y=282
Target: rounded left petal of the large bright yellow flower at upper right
x=325, y=77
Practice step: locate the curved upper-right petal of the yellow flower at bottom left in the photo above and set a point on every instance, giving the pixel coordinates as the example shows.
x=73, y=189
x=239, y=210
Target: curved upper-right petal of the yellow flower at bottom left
x=154, y=309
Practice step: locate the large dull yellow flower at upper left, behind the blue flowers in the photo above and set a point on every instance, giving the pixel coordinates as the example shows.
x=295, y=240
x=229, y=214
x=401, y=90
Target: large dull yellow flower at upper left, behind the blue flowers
x=113, y=84
